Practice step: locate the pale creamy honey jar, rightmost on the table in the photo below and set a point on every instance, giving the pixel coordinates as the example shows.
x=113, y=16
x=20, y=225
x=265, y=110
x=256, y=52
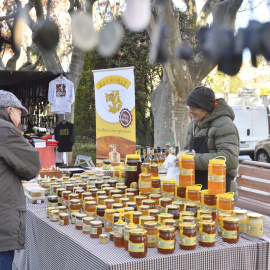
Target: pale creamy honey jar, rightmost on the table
x=254, y=227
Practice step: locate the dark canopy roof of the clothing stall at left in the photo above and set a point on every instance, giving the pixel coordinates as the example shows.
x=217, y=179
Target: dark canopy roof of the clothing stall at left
x=10, y=79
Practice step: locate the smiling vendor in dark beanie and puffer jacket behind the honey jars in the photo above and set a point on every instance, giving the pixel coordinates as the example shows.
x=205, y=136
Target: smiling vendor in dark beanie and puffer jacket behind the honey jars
x=211, y=133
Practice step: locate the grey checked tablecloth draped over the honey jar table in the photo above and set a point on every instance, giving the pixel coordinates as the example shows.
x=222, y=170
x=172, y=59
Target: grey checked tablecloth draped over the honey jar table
x=50, y=246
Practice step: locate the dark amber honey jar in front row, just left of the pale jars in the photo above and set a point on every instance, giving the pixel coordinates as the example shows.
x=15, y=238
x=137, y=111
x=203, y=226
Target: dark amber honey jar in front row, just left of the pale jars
x=230, y=230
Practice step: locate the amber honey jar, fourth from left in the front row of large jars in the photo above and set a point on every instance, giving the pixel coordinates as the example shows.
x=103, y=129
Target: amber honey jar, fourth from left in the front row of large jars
x=207, y=233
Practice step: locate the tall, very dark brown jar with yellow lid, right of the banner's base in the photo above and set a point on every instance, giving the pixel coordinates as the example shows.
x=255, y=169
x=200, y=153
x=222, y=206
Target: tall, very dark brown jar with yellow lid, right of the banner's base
x=132, y=169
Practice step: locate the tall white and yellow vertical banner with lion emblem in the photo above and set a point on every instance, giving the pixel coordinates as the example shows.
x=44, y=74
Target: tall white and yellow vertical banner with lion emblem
x=115, y=114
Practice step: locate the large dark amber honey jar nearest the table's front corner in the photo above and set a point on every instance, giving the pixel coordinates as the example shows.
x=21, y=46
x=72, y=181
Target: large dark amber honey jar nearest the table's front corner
x=137, y=244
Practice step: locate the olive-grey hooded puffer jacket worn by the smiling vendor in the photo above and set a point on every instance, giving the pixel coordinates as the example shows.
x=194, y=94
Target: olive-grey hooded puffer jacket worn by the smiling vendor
x=223, y=137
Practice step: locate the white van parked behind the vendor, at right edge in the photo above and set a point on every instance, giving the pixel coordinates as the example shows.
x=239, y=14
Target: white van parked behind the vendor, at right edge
x=253, y=126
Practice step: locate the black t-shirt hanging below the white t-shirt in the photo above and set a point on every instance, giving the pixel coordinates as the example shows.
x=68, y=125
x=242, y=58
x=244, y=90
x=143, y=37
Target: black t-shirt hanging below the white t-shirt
x=65, y=135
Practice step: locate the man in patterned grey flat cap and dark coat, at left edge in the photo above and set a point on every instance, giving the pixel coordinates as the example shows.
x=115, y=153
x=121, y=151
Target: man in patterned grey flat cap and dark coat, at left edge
x=18, y=161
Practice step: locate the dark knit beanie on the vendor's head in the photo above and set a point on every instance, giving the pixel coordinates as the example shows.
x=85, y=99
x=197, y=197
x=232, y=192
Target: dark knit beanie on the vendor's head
x=201, y=97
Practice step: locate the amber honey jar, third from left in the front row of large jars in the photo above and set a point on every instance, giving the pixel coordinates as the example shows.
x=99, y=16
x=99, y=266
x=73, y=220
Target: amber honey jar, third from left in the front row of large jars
x=187, y=236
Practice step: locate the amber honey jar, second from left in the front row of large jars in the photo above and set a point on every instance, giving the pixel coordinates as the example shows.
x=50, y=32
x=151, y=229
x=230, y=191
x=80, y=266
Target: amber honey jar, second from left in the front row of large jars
x=165, y=240
